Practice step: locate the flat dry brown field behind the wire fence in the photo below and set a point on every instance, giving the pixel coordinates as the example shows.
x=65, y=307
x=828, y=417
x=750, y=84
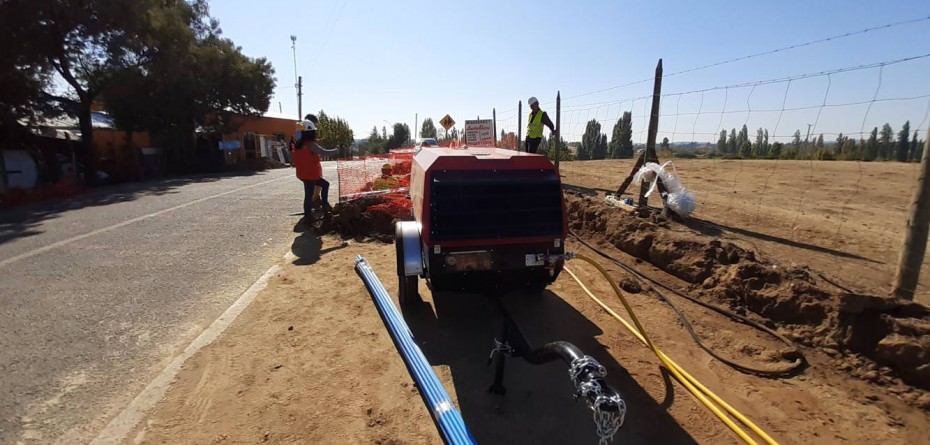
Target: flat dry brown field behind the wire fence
x=846, y=219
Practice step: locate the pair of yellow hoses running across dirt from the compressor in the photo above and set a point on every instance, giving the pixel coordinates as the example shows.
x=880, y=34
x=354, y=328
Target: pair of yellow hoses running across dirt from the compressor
x=701, y=392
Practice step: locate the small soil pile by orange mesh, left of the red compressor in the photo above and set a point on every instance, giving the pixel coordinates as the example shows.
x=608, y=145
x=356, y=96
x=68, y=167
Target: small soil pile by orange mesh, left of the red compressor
x=367, y=218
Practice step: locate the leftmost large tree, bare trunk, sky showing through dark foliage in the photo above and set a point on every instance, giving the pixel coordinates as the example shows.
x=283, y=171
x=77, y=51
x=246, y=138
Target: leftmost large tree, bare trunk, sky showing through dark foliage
x=85, y=44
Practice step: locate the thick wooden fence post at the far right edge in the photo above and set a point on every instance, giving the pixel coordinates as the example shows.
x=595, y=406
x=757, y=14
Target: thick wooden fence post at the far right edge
x=915, y=240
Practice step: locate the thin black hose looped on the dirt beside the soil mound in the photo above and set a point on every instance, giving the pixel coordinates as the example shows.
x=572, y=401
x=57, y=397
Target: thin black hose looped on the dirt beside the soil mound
x=796, y=366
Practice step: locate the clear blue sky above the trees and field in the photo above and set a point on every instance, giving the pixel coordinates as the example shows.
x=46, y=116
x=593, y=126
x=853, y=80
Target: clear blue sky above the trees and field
x=374, y=63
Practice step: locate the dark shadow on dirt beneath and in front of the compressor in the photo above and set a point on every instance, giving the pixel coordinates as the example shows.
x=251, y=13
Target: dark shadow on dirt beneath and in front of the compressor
x=538, y=407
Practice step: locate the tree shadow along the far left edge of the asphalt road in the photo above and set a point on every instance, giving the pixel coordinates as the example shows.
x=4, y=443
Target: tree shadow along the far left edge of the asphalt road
x=26, y=220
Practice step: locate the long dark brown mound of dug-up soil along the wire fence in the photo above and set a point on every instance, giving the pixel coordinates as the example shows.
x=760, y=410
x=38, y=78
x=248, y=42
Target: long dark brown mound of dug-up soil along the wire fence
x=876, y=337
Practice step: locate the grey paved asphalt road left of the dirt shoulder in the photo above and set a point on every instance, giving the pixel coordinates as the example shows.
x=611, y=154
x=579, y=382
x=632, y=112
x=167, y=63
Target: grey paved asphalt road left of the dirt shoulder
x=98, y=293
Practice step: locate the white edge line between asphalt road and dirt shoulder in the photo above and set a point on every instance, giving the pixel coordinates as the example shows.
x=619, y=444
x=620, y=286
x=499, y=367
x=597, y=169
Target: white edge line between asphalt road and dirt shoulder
x=119, y=428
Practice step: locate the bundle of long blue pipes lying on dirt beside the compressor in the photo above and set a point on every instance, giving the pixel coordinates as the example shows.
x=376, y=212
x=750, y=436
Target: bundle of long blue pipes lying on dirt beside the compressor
x=447, y=418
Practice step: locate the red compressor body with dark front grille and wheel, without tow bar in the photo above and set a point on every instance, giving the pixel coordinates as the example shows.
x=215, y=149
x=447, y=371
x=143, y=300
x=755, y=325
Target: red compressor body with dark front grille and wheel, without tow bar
x=485, y=219
